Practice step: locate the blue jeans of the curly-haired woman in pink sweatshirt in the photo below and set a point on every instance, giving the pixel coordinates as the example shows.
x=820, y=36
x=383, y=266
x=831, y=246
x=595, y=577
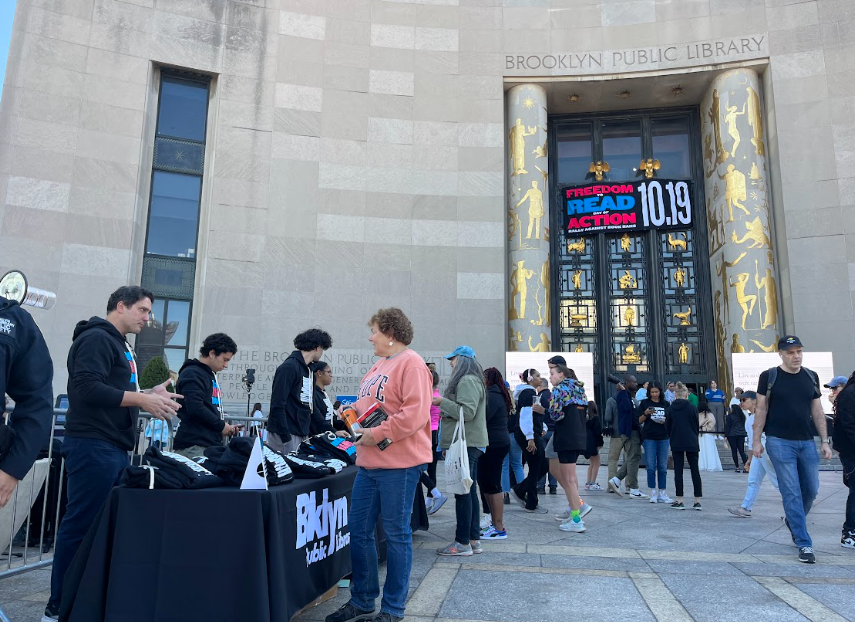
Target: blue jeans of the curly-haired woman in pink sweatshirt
x=386, y=494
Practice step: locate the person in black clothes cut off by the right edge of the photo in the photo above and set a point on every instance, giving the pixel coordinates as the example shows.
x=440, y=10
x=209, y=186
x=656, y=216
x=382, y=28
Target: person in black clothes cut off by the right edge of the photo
x=844, y=445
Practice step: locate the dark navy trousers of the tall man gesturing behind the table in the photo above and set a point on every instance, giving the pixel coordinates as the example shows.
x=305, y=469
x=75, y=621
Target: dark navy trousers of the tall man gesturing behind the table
x=93, y=467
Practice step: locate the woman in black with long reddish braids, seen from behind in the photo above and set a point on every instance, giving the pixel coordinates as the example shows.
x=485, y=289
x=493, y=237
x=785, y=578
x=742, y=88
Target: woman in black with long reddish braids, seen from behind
x=490, y=467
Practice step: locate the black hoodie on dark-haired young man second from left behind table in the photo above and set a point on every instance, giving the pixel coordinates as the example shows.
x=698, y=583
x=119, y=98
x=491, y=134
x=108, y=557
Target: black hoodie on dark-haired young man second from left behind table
x=201, y=423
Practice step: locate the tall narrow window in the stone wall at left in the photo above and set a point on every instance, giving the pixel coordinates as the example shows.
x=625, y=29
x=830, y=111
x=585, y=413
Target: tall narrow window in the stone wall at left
x=169, y=263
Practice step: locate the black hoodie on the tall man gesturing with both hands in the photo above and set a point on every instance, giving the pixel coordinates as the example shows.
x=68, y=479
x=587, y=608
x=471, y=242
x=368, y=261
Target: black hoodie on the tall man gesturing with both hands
x=100, y=370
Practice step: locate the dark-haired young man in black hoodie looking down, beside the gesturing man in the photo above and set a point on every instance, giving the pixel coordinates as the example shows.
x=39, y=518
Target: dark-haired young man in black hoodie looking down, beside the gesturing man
x=202, y=419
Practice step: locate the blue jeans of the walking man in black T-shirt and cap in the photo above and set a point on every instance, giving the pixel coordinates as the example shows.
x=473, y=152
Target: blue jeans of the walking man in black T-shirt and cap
x=797, y=467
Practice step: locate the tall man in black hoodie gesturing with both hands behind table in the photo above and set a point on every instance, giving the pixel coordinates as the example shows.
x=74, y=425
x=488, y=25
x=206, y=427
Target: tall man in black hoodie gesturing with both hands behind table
x=104, y=400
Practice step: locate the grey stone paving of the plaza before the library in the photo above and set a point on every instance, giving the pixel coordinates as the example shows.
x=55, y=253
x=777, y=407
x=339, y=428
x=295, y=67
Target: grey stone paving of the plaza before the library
x=637, y=562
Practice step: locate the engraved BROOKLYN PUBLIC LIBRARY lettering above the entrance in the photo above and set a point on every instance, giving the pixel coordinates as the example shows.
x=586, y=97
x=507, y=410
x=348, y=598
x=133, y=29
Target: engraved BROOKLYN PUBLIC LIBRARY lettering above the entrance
x=718, y=50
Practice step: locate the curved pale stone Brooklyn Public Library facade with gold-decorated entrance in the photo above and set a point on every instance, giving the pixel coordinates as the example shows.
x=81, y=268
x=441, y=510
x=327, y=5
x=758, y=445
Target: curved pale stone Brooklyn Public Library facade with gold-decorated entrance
x=659, y=182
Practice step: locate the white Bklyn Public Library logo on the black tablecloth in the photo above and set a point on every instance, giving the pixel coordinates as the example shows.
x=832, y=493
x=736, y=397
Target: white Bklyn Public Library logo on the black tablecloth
x=319, y=521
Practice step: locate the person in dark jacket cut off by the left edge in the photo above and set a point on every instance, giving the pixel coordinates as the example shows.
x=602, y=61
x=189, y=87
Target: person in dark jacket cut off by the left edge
x=26, y=374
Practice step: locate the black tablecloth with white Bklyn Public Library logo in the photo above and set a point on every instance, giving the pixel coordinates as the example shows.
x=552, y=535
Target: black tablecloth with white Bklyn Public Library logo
x=208, y=555
